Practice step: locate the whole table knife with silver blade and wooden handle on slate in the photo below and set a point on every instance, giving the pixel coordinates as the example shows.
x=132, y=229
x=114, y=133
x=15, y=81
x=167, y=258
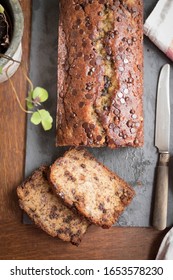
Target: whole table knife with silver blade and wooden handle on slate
x=162, y=141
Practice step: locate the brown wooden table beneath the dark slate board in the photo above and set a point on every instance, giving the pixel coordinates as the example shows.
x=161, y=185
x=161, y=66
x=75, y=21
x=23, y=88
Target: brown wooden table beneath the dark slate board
x=18, y=241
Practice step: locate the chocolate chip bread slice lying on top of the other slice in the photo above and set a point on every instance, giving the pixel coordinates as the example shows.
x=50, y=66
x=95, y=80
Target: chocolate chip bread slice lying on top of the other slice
x=95, y=191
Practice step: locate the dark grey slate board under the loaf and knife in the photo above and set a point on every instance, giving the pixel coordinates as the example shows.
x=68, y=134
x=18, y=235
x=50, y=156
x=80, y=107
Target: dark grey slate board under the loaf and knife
x=136, y=166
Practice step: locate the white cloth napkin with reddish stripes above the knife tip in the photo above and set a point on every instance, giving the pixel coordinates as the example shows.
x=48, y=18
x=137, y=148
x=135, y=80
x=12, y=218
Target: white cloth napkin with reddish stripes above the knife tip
x=159, y=26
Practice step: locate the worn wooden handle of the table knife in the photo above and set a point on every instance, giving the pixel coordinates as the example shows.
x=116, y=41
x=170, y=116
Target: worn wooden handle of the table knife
x=161, y=193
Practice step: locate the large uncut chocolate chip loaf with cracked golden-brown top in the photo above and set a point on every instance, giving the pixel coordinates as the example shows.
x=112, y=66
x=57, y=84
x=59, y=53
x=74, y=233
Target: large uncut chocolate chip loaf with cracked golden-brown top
x=100, y=73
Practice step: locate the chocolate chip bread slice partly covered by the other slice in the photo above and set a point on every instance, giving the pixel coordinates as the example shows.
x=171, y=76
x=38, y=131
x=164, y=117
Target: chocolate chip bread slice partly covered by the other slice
x=37, y=199
